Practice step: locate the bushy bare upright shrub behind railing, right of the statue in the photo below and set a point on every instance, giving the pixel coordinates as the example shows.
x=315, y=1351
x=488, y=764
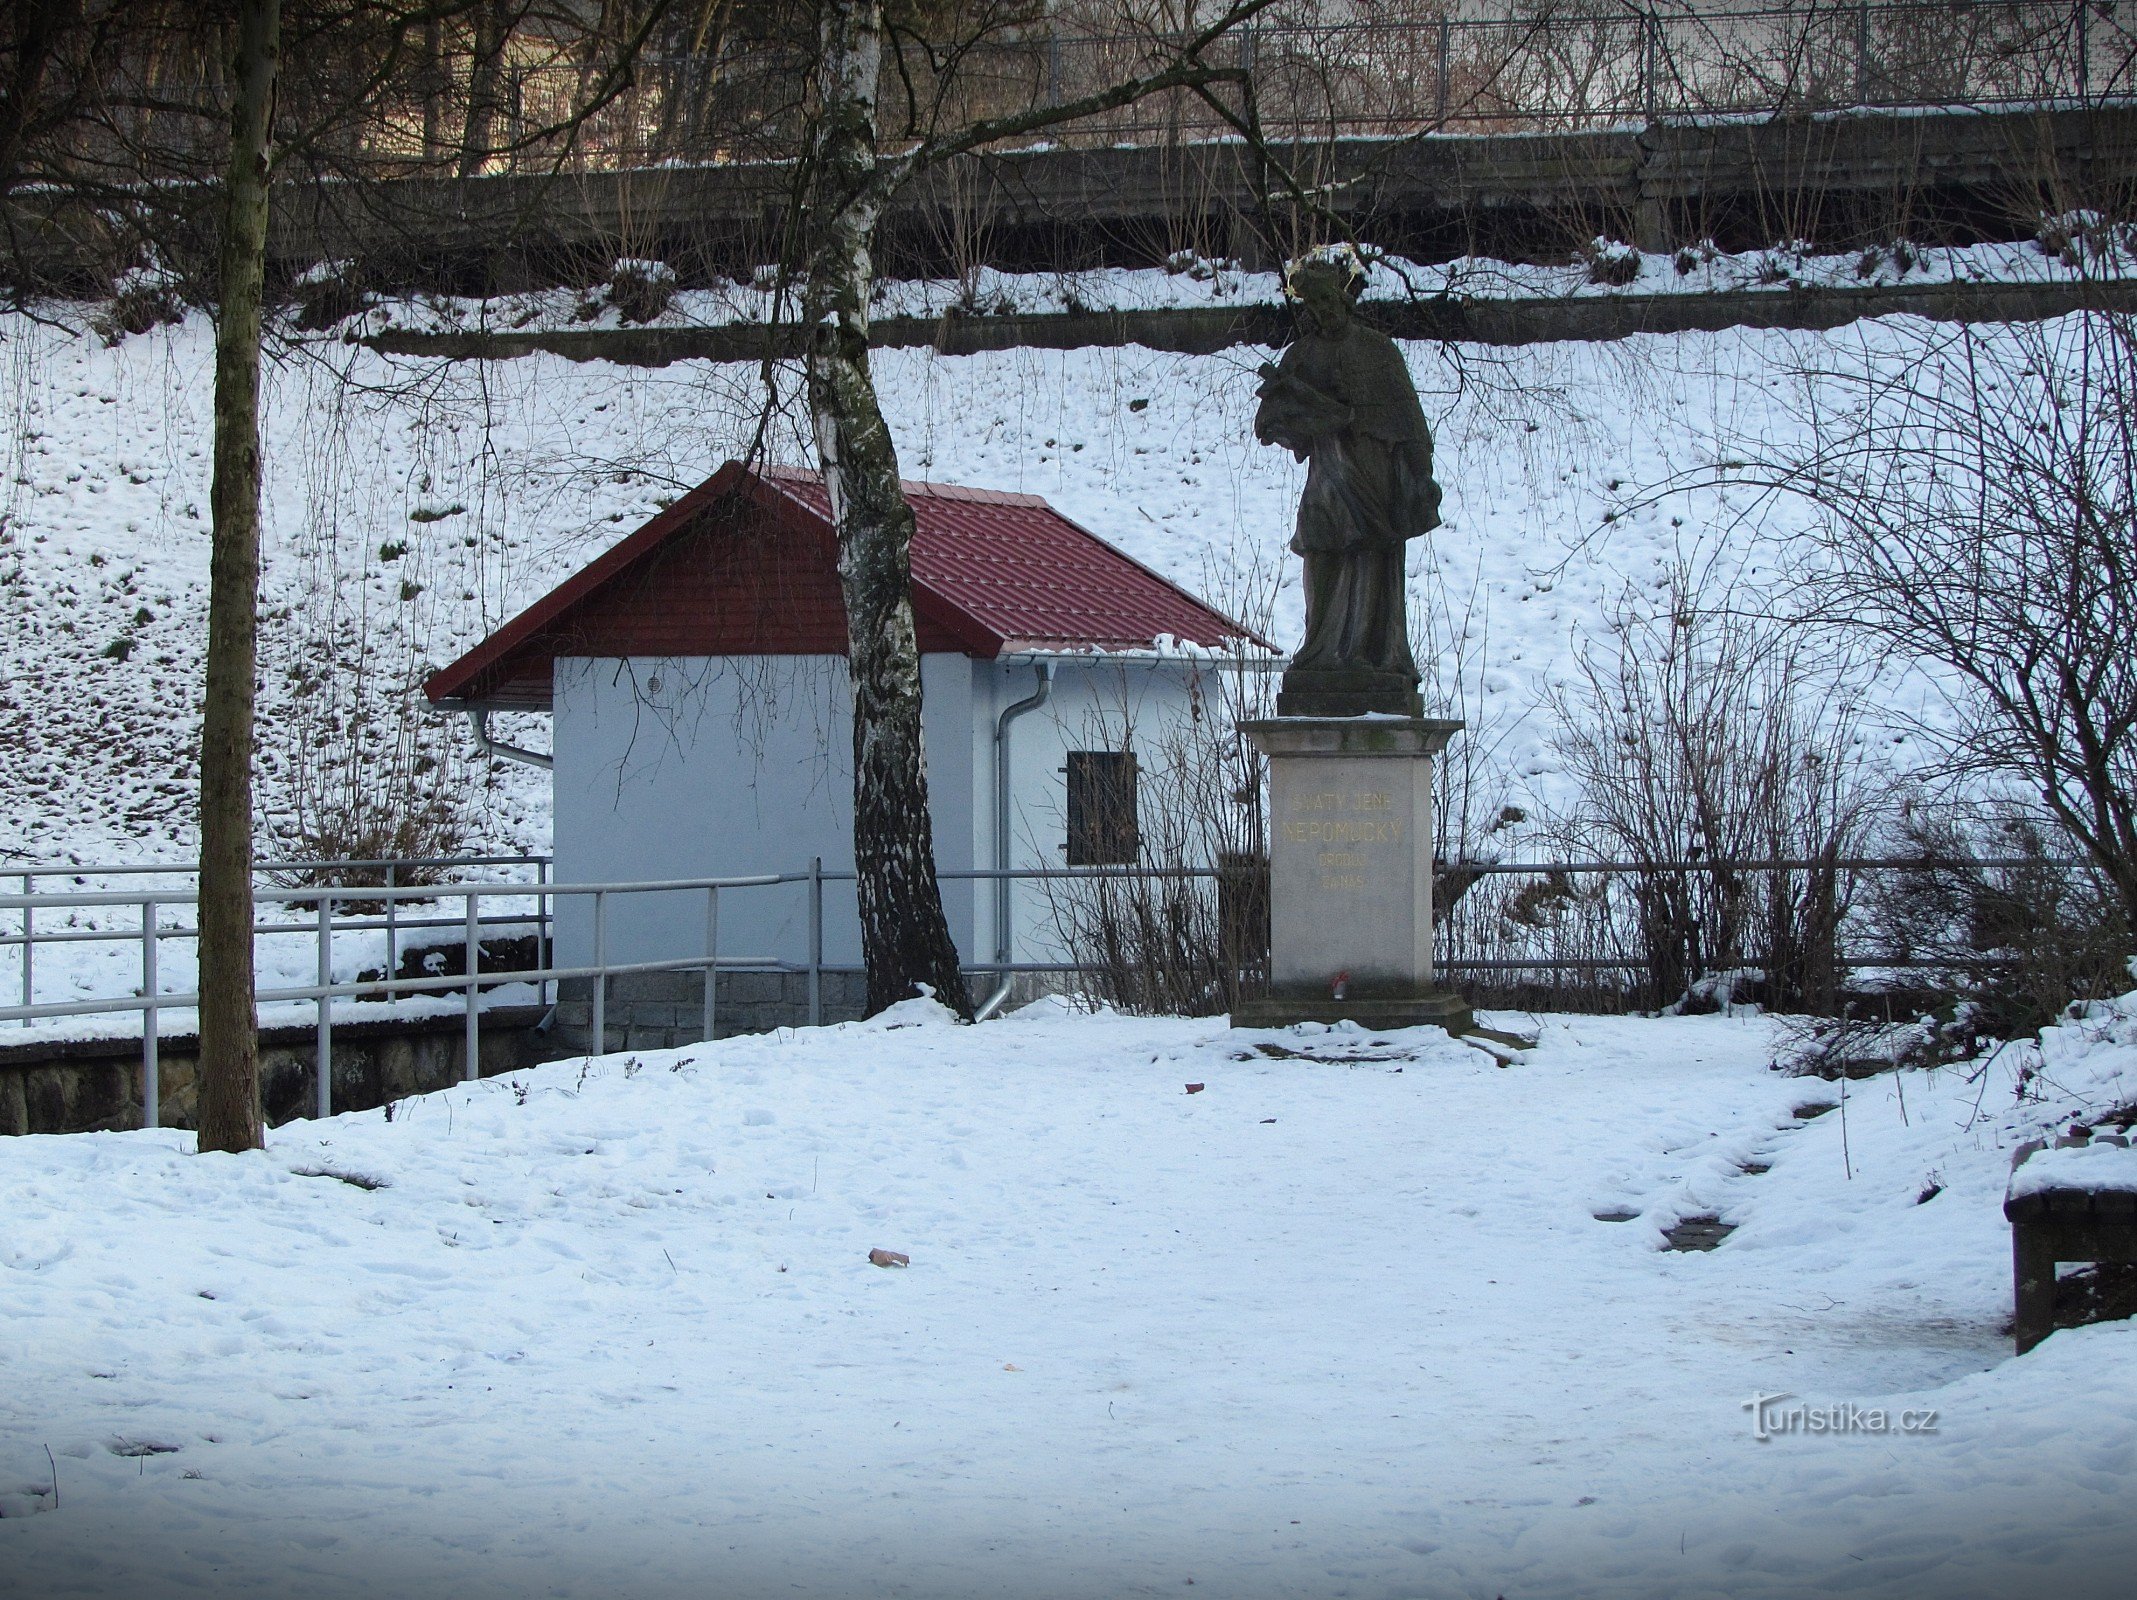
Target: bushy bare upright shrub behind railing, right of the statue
x=1715, y=738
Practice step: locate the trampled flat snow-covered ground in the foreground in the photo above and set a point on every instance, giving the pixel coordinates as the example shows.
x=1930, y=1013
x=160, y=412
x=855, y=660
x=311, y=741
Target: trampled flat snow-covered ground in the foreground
x=1345, y=1323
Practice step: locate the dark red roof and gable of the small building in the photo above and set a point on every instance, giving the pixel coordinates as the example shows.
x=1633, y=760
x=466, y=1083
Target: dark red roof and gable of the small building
x=747, y=565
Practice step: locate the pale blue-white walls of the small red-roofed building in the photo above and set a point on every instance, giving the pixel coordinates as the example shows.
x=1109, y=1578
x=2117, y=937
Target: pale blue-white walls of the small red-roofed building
x=740, y=766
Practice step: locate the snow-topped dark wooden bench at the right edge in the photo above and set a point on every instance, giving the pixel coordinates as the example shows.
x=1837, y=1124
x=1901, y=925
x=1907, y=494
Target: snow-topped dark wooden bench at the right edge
x=2070, y=1204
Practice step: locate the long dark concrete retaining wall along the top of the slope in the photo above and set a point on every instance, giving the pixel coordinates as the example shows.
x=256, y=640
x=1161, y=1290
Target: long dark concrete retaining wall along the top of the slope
x=1937, y=176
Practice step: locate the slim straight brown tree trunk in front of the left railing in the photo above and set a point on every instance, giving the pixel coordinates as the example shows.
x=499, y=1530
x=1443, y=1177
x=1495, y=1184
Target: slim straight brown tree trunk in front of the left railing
x=230, y=1112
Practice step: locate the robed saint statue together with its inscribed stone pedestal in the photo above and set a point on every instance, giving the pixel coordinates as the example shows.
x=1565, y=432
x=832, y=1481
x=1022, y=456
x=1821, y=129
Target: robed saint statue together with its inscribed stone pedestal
x=1352, y=819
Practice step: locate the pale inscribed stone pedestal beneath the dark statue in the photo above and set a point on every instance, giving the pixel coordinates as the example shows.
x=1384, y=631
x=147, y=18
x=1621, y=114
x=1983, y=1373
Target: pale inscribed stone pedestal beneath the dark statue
x=1352, y=873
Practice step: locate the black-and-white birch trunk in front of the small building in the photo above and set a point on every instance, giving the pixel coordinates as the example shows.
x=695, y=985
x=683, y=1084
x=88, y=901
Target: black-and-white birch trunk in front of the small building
x=905, y=939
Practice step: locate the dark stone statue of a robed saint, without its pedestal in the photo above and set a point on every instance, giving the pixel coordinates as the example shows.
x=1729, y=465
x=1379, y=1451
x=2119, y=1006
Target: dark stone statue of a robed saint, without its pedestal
x=1343, y=403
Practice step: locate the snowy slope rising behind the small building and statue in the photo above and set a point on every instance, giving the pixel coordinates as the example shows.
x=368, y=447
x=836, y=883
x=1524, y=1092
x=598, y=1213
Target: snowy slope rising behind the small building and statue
x=414, y=505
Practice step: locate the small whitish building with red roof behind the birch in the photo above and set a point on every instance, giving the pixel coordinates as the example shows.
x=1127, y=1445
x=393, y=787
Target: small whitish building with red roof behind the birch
x=702, y=717
